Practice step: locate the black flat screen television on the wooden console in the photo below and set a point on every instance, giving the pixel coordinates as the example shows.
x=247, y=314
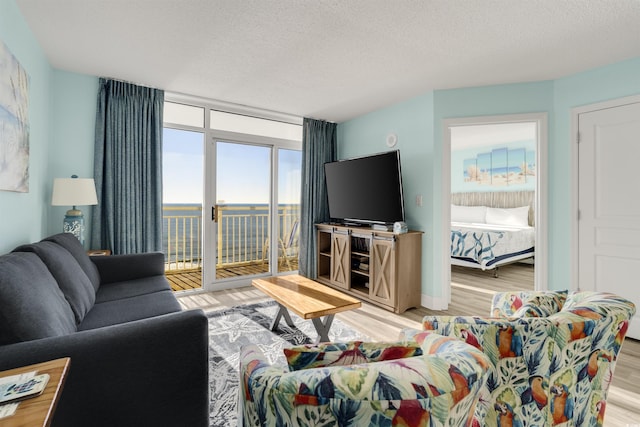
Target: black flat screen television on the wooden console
x=366, y=189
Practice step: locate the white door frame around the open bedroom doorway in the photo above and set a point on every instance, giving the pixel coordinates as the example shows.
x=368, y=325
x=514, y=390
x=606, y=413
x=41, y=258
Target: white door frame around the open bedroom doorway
x=541, y=217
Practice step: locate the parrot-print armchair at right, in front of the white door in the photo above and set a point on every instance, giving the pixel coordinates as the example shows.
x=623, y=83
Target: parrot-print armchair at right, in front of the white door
x=552, y=355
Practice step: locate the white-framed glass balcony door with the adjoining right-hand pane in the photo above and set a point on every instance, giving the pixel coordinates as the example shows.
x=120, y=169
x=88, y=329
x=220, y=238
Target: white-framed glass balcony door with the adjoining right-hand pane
x=253, y=225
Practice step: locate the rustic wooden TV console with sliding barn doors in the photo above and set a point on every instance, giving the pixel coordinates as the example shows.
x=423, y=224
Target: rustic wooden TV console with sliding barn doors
x=379, y=267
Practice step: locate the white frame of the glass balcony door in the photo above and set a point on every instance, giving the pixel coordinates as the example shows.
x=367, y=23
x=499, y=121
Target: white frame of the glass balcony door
x=209, y=246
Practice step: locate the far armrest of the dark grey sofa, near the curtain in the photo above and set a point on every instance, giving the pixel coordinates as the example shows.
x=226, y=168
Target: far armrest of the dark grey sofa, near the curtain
x=118, y=268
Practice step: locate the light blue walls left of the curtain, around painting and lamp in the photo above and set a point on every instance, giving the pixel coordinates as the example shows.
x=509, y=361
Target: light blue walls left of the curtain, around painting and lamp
x=61, y=121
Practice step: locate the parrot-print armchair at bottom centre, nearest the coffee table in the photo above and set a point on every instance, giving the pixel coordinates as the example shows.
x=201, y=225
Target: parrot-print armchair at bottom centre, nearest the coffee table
x=434, y=383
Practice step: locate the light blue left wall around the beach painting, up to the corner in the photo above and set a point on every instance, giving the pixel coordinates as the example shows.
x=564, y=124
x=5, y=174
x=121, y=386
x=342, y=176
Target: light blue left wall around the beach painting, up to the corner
x=24, y=215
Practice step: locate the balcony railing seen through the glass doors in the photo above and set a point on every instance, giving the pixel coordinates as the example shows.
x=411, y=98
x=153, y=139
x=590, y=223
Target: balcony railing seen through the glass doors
x=243, y=232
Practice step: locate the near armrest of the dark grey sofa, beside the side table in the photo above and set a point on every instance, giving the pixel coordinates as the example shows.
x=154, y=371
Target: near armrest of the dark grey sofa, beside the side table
x=148, y=372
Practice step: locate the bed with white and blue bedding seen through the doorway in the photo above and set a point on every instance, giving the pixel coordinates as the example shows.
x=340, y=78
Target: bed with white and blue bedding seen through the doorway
x=487, y=237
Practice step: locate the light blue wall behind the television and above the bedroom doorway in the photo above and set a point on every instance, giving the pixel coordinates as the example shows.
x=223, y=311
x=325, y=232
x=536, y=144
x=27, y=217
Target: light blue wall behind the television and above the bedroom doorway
x=418, y=123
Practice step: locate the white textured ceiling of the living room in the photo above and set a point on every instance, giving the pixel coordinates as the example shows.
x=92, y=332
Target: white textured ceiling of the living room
x=331, y=59
